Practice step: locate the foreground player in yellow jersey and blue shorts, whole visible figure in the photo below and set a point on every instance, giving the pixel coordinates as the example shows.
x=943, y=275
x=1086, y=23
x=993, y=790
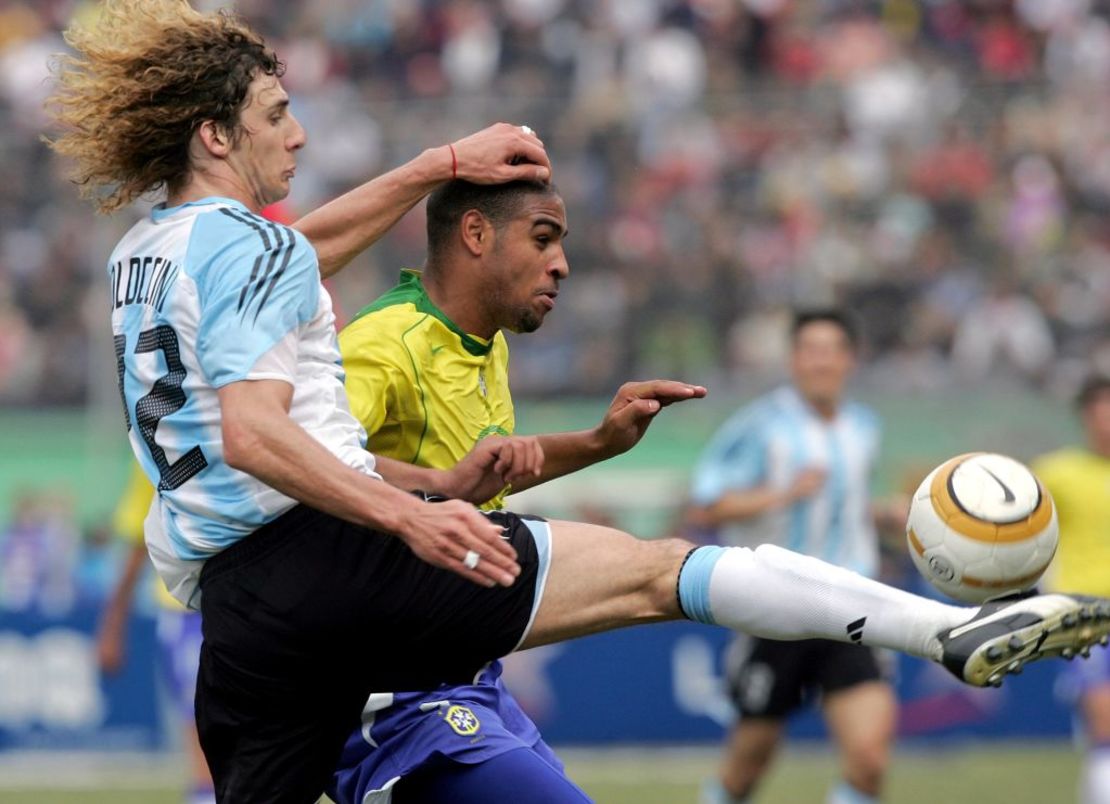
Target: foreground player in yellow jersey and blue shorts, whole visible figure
x=427, y=389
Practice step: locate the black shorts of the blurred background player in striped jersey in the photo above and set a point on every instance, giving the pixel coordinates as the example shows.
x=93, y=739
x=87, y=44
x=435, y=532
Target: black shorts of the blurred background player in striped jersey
x=770, y=679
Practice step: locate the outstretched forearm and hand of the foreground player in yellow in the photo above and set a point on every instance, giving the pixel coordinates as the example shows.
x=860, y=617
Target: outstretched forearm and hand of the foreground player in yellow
x=624, y=425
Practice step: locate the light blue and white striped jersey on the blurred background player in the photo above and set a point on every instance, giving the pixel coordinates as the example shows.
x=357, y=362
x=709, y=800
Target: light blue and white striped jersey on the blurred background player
x=769, y=444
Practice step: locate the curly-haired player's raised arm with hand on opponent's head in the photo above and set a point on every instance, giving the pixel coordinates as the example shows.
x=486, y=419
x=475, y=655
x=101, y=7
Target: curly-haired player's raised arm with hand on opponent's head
x=342, y=229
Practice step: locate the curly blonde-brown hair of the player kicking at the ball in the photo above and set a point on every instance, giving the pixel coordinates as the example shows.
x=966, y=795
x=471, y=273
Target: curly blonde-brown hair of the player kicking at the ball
x=144, y=78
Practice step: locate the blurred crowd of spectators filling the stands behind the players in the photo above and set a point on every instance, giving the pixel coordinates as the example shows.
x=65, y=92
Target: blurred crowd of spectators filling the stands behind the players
x=942, y=168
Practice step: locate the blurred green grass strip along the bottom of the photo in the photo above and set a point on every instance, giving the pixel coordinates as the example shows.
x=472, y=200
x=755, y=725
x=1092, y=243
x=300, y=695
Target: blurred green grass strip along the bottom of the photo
x=967, y=775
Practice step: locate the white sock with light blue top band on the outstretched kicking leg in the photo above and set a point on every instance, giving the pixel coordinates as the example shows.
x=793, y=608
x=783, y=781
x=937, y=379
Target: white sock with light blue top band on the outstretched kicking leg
x=779, y=595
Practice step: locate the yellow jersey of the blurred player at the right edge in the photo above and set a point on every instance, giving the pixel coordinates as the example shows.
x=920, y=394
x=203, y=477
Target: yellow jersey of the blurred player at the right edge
x=1079, y=481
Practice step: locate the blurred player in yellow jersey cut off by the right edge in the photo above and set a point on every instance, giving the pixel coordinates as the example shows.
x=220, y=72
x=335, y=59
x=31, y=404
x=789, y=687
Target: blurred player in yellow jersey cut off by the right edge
x=1079, y=481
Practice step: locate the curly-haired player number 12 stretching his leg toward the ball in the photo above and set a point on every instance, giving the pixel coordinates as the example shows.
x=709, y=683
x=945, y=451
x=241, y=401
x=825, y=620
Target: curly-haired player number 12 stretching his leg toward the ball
x=320, y=581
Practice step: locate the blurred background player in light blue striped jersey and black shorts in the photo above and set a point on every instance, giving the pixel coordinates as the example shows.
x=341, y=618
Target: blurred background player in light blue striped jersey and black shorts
x=794, y=468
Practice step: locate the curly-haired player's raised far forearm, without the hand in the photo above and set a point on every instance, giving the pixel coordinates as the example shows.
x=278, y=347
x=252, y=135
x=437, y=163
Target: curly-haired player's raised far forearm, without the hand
x=342, y=229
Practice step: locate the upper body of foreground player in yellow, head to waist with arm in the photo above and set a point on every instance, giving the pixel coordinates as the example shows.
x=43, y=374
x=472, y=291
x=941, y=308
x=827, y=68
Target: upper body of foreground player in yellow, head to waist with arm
x=423, y=381
